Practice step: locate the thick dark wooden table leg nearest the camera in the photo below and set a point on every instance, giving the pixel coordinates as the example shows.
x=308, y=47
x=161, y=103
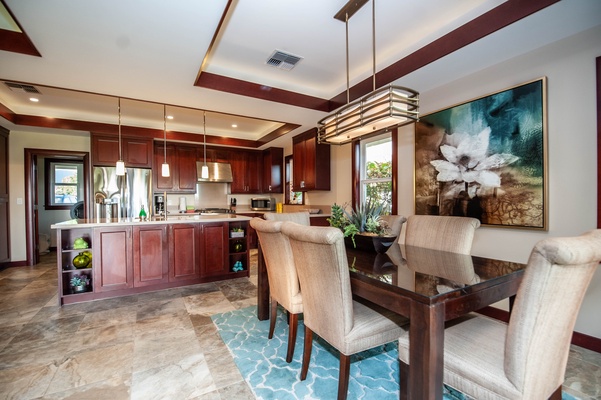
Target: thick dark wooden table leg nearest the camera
x=426, y=351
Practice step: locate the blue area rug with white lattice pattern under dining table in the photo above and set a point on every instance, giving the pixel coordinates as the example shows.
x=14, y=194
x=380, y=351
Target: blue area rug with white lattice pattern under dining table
x=262, y=362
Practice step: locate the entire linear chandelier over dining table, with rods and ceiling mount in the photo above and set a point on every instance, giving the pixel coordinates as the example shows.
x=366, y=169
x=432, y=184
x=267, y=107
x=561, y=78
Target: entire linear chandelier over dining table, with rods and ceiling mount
x=388, y=107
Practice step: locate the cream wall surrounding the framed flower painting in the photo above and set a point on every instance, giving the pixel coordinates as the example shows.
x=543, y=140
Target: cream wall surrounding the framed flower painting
x=569, y=66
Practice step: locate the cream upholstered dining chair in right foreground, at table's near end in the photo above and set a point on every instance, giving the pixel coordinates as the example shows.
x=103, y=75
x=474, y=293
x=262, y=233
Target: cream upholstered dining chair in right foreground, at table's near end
x=525, y=359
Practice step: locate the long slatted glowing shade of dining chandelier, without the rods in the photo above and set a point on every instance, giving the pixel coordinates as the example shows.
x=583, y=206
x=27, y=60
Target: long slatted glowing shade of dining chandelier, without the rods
x=388, y=107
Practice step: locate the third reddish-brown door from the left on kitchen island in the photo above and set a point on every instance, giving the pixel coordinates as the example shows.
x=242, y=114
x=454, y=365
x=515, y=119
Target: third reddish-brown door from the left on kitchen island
x=184, y=252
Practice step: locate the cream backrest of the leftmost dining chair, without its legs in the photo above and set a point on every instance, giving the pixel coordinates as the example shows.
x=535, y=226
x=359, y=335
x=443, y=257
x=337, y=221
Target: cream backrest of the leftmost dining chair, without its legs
x=281, y=272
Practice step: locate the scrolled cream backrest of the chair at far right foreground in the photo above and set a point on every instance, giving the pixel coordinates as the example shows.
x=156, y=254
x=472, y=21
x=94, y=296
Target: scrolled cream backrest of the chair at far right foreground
x=547, y=303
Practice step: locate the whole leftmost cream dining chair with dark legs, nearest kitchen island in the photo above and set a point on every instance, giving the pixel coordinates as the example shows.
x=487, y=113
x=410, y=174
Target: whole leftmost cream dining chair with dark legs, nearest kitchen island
x=283, y=281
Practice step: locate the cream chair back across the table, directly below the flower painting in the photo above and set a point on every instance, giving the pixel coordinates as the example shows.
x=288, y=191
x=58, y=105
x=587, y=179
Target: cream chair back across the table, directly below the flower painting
x=446, y=233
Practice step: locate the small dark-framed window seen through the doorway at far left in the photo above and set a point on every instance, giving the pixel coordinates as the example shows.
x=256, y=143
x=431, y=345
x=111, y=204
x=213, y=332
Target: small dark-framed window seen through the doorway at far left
x=64, y=183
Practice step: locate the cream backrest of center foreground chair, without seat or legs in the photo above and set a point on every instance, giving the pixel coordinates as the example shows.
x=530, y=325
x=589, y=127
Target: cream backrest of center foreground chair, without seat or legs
x=321, y=262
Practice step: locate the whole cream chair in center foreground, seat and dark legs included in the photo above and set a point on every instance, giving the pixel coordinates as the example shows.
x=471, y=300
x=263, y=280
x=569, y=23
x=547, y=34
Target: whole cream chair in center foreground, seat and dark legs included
x=329, y=310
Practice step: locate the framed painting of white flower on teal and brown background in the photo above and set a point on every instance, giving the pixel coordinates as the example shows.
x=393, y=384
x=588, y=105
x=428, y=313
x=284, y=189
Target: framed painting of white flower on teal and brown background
x=486, y=158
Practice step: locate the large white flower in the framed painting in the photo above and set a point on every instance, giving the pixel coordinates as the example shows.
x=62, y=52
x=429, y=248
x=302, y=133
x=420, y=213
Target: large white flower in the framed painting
x=468, y=162
